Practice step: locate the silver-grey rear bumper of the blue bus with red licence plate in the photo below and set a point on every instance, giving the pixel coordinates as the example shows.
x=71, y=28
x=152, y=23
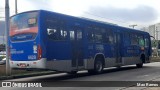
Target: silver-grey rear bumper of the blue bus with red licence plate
x=37, y=64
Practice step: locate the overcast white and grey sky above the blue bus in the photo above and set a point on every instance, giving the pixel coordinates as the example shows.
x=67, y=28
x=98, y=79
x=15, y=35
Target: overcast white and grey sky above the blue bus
x=121, y=12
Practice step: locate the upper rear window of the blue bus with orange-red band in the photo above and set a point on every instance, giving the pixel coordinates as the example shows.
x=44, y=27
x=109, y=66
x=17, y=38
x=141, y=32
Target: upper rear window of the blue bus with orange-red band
x=24, y=26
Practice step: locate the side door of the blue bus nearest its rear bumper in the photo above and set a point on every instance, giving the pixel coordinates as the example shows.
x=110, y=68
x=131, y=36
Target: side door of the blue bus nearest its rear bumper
x=76, y=48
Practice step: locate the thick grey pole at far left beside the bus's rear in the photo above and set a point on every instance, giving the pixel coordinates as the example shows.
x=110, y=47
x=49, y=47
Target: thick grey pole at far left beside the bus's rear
x=8, y=71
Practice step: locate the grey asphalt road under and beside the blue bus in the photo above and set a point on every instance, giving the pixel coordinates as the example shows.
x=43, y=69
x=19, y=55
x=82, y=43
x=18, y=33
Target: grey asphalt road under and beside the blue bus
x=150, y=72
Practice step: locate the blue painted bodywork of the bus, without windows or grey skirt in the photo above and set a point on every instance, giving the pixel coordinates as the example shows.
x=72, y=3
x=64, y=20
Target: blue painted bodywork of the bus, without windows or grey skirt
x=63, y=49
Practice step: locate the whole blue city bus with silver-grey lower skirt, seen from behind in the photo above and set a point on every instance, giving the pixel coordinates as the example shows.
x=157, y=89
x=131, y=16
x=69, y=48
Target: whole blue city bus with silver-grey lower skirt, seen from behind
x=47, y=40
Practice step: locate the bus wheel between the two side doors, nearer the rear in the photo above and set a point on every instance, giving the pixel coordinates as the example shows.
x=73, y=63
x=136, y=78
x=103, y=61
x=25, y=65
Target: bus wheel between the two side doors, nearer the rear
x=98, y=66
